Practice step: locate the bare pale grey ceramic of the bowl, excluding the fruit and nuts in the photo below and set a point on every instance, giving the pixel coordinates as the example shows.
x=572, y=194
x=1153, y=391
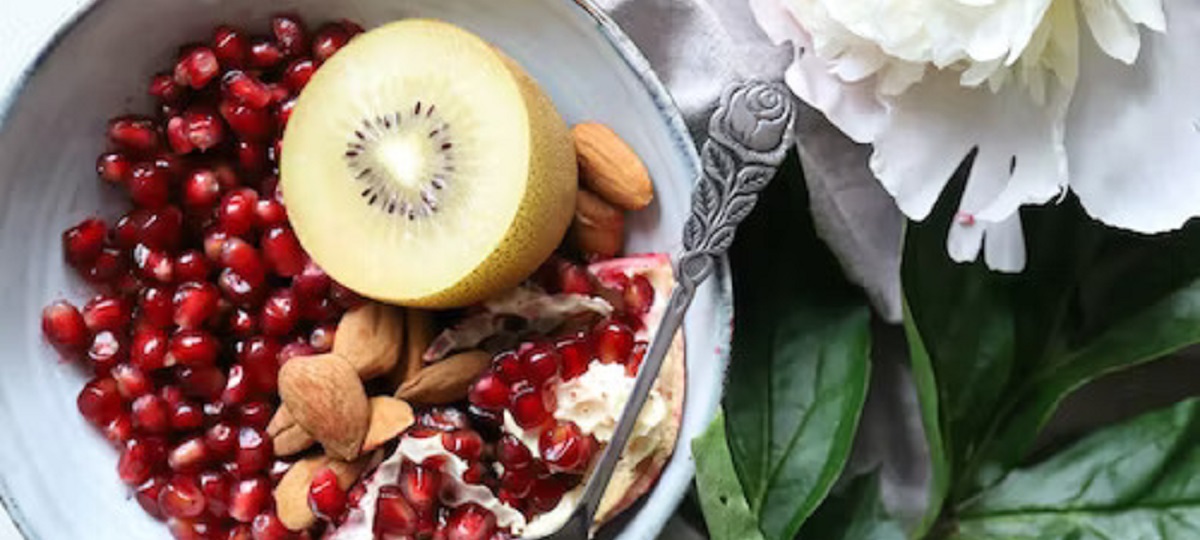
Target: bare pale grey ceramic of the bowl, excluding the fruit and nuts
x=58, y=476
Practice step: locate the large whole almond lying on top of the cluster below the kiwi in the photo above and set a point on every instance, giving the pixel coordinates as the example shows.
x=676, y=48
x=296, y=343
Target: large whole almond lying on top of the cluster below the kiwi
x=326, y=397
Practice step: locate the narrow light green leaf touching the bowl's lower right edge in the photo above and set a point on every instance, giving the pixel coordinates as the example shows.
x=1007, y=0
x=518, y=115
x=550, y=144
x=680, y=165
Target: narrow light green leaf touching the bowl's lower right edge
x=727, y=512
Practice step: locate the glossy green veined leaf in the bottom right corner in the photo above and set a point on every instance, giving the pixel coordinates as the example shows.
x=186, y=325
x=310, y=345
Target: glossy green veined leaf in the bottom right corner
x=1137, y=481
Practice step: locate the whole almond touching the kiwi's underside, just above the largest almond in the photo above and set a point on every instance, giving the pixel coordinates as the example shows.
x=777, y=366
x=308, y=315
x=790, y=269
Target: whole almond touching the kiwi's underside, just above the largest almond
x=371, y=338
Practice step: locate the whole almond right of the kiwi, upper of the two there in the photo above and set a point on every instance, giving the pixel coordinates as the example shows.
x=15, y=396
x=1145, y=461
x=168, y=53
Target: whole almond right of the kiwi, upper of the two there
x=610, y=169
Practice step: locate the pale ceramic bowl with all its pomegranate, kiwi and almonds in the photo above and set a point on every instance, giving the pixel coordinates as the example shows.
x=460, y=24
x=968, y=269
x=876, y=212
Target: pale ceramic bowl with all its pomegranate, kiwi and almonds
x=344, y=284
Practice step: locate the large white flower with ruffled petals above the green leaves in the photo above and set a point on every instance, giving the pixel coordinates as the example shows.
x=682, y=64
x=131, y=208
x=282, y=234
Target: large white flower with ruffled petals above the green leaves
x=928, y=81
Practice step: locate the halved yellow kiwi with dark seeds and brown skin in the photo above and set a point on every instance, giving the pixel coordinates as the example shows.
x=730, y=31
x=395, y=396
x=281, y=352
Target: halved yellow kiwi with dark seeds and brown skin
x=423, y=167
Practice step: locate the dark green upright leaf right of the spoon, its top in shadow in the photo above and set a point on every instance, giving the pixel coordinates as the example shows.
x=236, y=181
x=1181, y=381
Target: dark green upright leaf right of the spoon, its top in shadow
x=801, y=363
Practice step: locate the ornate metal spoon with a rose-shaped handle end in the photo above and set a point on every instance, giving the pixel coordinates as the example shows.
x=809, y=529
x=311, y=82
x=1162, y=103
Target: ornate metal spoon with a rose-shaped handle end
x=749, y=135
